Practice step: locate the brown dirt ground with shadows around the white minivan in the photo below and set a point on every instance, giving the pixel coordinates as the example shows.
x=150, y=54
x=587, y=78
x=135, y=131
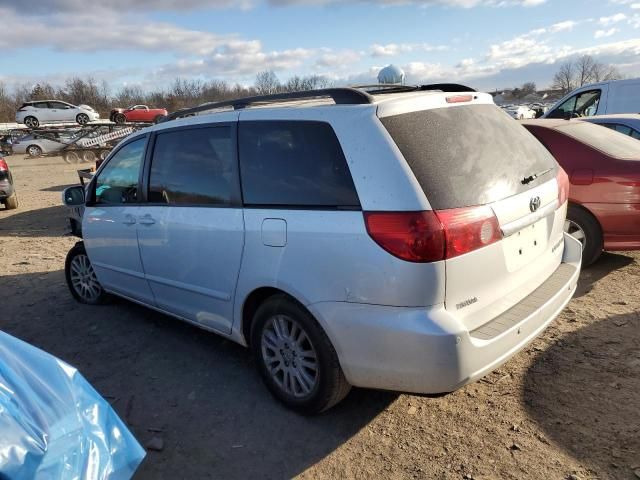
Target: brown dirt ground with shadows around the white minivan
x=566, y=407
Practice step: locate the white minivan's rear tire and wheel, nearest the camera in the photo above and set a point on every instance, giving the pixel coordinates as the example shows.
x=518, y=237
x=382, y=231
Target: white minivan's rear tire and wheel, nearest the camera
x=277, y=344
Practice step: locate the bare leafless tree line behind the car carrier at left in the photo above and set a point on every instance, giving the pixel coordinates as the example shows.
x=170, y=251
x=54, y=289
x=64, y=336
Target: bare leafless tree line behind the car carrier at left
x=181, y=93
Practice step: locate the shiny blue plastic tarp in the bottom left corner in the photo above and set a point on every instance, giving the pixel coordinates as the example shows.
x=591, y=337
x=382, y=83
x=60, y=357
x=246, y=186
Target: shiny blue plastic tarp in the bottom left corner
x=54, y=425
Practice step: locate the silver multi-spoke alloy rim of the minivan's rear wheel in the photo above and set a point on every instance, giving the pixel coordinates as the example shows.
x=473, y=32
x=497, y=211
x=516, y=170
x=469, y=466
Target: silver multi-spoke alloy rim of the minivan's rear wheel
x=289, y=356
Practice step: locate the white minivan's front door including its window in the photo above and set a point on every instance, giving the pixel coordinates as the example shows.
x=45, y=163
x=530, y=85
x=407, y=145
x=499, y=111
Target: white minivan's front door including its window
x=109, y=223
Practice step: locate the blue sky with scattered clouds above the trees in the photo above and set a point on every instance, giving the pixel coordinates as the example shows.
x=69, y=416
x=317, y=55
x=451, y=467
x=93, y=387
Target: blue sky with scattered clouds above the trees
x=489, y=44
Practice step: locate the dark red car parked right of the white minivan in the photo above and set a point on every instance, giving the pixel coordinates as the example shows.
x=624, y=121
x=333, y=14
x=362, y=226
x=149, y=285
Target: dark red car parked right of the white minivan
x=604, y=171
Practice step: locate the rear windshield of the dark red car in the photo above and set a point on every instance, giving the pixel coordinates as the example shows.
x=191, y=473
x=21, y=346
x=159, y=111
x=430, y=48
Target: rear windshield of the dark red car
x=609, y=142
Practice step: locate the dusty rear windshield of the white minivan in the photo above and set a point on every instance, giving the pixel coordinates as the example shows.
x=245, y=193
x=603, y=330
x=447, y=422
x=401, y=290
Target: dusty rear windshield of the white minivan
x=469, y=155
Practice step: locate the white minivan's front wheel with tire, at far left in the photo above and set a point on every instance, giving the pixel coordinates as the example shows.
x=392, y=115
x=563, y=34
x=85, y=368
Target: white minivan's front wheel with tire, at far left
x=81, y=279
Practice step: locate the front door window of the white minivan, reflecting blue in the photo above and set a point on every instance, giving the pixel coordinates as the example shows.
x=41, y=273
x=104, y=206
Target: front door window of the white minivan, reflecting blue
x=117, y=183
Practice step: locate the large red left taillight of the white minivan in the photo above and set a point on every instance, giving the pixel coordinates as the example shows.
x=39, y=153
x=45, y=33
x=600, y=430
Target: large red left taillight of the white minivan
x=431, y=236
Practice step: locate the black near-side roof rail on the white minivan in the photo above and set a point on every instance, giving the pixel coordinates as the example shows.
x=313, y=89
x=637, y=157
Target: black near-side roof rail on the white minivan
x=341, y=96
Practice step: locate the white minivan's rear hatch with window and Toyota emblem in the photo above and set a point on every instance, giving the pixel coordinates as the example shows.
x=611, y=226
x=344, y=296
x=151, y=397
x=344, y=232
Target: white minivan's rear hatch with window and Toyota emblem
x=474, y=162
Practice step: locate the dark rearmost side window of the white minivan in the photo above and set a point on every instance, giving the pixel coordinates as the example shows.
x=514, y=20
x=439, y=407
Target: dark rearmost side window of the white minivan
x=290, y=163
